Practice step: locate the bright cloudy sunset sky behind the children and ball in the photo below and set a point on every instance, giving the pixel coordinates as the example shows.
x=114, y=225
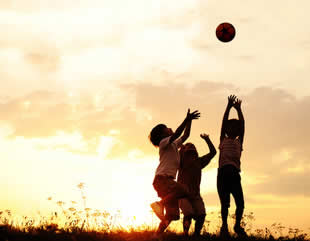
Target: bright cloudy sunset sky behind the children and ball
x=83, y=83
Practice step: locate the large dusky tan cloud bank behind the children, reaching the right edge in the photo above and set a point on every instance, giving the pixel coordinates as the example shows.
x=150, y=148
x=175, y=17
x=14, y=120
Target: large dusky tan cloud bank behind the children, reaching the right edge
x=277, y=130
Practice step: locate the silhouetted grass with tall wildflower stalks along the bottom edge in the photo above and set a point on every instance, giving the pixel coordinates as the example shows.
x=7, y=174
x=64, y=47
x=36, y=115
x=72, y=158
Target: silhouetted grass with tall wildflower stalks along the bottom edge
x=74, y=224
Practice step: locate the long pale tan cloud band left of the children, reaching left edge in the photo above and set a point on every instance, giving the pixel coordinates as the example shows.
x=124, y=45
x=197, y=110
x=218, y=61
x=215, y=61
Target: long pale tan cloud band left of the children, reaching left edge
x=45, y=114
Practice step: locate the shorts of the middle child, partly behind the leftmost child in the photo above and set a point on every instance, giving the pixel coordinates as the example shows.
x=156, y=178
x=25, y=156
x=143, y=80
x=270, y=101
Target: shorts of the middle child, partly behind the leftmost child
x=192, y=206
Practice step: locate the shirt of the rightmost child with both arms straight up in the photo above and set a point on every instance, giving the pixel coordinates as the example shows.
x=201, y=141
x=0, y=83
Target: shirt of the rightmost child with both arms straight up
x=230, y=152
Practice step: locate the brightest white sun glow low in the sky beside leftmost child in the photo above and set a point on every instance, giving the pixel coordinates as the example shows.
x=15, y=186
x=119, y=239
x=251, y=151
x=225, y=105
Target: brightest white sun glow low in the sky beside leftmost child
x=130, y=195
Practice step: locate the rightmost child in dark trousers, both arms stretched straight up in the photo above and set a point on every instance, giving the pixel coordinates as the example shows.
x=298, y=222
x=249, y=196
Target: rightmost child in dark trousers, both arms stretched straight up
x=228, y=178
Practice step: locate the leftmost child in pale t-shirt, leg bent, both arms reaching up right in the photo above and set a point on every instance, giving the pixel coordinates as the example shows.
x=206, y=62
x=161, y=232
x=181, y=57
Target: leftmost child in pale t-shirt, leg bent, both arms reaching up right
x=169, y=161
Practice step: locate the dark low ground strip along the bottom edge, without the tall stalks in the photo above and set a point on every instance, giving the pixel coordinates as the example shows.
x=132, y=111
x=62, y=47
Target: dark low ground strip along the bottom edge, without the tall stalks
x=11, y=234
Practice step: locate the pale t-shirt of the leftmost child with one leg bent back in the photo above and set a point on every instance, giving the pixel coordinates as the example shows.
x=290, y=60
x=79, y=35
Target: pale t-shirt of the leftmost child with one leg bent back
x=169, y=157
